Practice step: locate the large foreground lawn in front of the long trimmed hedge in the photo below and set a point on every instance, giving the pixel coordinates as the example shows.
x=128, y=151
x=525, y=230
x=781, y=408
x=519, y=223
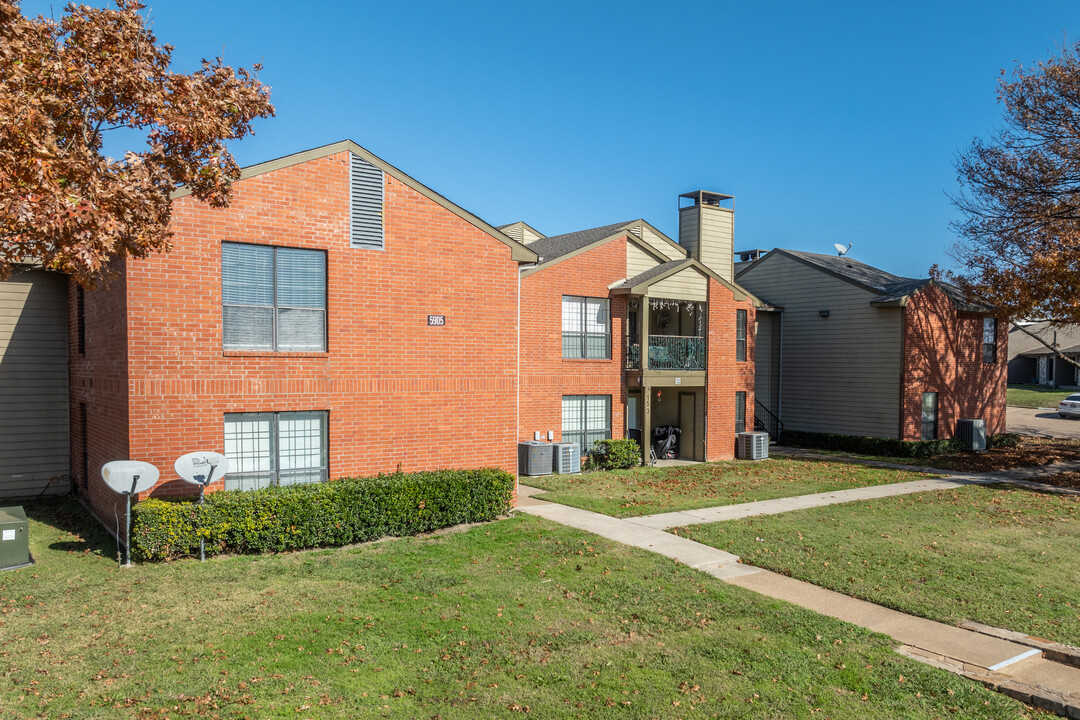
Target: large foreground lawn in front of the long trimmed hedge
x=514, y=618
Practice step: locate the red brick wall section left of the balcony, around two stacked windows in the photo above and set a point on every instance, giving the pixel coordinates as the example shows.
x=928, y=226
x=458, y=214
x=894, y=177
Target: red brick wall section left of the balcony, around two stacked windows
x=546, y=376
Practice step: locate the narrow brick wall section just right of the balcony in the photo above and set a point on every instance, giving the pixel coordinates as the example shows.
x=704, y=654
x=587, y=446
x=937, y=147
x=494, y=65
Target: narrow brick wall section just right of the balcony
x=727, y=376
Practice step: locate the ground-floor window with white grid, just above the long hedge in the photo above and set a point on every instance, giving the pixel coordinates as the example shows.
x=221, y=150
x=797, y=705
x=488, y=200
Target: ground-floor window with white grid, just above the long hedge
x=275, y=449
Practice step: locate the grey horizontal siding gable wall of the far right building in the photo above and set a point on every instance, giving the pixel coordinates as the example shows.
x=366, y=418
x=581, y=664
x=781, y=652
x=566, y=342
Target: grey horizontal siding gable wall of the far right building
x=841, y=374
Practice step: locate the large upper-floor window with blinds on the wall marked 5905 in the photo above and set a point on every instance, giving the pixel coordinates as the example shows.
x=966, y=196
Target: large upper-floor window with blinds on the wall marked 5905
x=274, y=298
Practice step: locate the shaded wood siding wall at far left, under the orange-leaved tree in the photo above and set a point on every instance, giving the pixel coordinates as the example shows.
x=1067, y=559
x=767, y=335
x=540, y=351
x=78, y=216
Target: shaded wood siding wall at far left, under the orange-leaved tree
x=34, y=386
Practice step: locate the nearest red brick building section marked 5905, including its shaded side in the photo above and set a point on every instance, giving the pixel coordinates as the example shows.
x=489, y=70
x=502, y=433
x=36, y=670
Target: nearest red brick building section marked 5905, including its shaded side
x=337, y=319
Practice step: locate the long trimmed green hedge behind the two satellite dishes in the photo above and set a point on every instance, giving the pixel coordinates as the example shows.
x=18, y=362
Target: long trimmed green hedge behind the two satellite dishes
x=348, y=511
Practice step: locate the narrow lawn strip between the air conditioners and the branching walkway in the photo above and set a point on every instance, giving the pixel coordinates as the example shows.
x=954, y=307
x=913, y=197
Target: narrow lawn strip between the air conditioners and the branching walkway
x=652, y=491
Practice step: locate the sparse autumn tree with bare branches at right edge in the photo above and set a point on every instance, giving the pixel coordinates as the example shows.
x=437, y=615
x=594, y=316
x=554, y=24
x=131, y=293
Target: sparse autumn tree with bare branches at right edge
x=1019, y=243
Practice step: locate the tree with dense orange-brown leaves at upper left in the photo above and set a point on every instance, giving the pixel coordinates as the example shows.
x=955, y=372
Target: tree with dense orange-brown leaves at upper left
x=64, y=85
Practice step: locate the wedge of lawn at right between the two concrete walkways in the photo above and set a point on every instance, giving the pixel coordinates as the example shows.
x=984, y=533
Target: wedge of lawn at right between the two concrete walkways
x=998, y=555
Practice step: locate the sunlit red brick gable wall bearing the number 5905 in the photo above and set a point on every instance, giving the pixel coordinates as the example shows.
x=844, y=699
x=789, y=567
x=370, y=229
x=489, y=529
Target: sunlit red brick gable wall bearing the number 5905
x=399, y=393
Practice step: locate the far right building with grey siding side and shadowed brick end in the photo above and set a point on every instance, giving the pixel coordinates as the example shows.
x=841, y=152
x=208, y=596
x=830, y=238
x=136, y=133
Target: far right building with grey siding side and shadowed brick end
x=849, y=349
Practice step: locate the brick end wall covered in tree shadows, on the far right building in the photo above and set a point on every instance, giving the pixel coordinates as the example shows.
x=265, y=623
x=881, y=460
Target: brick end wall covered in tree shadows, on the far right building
x=943, y=354
